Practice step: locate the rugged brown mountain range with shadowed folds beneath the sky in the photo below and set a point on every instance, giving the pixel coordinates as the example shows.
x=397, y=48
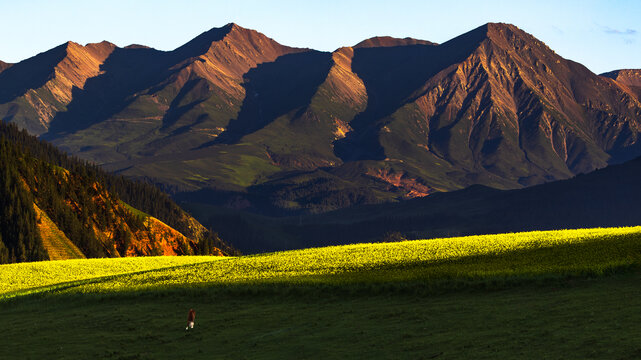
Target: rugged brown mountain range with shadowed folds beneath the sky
x=236, y=119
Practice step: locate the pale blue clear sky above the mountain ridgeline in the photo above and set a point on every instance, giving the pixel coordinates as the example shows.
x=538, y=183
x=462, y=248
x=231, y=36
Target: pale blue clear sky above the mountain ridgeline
x=603, y=35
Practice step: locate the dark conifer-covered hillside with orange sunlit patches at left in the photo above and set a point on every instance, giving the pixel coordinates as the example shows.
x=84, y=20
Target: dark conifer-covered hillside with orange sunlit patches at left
x=50, y=212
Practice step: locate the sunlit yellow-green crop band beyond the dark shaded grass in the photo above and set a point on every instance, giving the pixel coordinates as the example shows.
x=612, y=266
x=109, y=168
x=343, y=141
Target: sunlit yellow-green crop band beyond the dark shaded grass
x=517, y=255
